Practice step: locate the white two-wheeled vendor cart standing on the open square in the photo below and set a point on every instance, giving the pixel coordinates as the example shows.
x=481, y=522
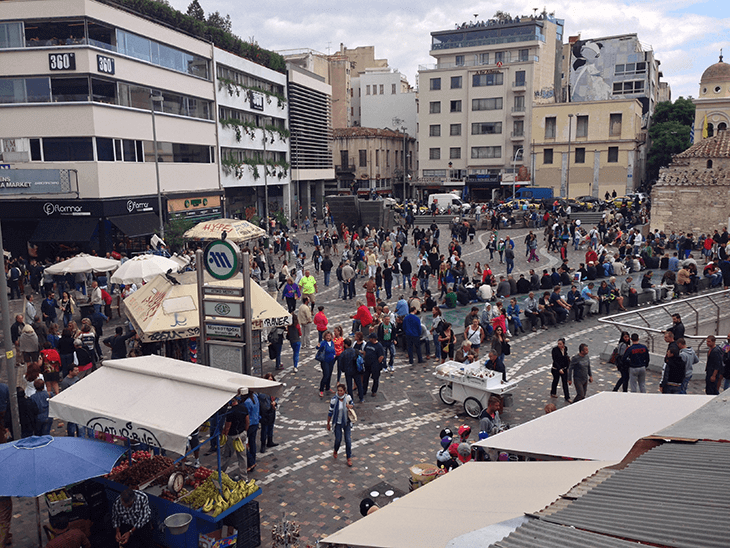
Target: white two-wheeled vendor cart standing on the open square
x=472, y=384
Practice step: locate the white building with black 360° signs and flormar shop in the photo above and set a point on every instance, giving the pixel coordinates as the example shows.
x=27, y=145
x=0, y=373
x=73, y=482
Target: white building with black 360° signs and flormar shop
x=77, y=84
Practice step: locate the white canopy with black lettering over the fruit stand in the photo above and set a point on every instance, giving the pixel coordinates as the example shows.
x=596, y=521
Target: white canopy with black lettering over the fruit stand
x=151, y=399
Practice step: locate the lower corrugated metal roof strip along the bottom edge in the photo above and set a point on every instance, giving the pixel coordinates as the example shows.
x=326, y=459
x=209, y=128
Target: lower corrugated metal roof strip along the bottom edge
x=540, y=534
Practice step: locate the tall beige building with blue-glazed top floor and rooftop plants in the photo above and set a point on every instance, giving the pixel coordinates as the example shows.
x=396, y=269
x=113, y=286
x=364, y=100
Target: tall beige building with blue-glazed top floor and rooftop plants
x=475, y=103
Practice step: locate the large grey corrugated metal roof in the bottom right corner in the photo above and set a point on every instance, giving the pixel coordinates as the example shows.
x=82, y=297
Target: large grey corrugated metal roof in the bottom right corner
x=674, y=495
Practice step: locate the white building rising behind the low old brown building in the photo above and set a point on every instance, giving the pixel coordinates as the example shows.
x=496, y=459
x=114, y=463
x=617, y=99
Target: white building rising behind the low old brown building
x=382, y=98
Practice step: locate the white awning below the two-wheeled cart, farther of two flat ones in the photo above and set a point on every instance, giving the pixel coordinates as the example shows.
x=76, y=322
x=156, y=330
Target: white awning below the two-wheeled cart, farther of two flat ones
x=603, y=427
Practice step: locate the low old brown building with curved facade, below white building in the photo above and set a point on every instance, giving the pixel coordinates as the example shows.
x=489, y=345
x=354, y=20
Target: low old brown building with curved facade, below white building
x=372, y=160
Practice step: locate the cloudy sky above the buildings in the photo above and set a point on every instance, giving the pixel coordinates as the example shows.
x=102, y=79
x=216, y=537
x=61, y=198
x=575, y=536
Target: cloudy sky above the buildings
x=685, y=35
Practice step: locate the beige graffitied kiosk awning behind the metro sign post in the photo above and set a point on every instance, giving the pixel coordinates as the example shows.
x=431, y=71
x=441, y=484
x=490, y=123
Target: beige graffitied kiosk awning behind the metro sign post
x=161, y=311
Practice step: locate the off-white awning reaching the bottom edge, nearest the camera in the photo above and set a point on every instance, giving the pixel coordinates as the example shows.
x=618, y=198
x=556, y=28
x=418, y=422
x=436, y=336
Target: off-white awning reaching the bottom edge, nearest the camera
x=471, y=497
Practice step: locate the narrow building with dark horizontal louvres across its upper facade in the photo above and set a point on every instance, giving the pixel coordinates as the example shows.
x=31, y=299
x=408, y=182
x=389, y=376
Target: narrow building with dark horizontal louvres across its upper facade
x=310, y=123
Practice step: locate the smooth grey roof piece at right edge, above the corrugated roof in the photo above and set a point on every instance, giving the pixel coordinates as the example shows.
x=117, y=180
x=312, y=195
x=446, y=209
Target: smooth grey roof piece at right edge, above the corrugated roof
x=709, y=422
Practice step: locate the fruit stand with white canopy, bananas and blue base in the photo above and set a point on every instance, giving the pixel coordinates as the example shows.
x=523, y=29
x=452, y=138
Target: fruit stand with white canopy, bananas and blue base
x=158, y=402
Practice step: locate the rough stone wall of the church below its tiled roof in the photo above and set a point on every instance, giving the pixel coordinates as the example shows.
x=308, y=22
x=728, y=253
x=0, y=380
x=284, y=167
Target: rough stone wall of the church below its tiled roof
x=690, y=197
